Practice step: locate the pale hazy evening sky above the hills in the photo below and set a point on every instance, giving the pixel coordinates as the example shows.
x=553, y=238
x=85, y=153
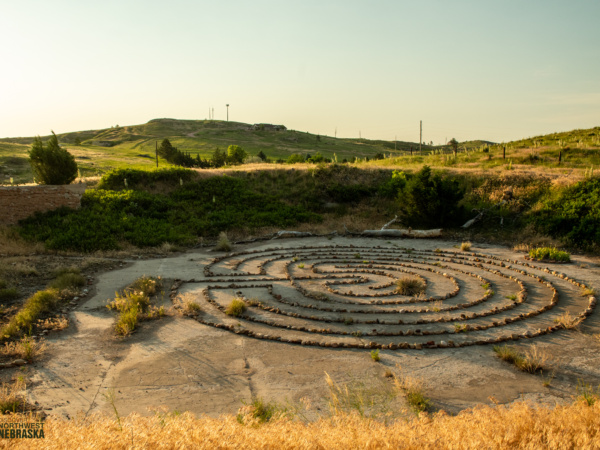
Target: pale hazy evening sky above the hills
x=496, y=70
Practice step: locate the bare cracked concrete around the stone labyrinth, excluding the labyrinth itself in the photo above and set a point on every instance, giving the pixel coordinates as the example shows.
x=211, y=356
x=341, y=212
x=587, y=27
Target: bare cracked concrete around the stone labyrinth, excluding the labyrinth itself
x=188, y=366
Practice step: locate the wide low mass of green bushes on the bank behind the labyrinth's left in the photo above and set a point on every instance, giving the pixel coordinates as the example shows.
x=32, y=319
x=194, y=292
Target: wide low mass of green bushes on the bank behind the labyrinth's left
x=205, y=208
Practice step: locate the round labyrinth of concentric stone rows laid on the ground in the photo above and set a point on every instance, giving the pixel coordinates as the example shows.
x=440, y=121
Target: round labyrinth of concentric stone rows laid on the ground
x=345, y=296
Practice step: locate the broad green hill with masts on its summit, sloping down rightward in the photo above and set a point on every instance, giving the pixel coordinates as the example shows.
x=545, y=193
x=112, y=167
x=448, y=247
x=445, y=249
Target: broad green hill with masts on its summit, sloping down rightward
x=98, y=151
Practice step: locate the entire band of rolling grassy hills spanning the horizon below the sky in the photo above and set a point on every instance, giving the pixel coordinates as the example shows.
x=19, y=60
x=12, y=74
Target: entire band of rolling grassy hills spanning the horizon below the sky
x=99, y=151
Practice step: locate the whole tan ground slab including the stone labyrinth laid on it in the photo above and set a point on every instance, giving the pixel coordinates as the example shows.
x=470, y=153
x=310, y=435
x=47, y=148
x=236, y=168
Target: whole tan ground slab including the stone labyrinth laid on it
x=213, y=363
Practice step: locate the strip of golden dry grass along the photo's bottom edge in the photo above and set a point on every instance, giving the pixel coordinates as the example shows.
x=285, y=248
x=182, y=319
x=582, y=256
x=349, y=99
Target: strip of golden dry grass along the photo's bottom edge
x=517, y=426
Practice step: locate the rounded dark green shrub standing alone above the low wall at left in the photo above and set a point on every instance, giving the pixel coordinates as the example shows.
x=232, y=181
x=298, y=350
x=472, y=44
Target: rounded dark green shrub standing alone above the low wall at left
x=50, y=163
